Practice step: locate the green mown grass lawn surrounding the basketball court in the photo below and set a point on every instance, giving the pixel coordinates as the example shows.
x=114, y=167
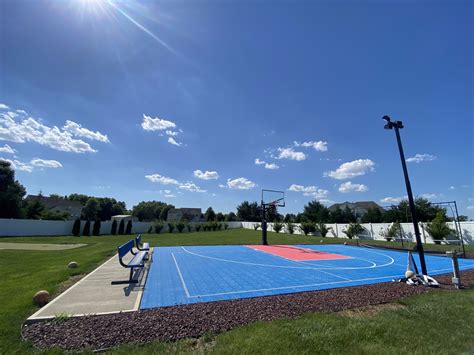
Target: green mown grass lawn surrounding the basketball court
x=443, y=318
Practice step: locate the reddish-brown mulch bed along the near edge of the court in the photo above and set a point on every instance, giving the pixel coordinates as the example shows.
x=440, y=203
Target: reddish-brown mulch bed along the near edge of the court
x=191, y=321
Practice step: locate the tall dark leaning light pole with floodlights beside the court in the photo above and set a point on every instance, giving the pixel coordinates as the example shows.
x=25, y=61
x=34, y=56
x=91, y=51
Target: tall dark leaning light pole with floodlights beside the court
x=397, y=125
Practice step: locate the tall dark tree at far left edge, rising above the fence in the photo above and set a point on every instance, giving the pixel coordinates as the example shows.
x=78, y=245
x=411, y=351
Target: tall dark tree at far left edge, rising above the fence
x=11, y=192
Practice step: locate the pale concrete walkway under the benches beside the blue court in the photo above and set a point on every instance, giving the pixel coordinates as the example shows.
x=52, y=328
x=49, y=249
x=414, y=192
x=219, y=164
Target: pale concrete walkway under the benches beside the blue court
x=94, y=294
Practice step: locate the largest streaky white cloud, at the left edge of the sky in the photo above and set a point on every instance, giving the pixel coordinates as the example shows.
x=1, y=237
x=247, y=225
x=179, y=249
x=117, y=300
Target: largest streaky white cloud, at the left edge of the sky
x=33, y=130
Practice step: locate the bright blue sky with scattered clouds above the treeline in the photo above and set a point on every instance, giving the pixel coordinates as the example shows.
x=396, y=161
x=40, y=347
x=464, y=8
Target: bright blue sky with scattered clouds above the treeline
x=204, y=103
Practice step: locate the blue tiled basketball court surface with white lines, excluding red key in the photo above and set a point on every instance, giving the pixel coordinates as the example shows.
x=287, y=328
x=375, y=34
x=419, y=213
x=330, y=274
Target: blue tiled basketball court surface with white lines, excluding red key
x=183, y=275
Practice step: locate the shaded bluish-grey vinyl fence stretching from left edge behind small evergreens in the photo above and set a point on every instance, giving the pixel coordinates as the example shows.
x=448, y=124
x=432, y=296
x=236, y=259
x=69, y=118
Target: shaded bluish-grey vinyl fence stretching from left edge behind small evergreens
x=33, y=227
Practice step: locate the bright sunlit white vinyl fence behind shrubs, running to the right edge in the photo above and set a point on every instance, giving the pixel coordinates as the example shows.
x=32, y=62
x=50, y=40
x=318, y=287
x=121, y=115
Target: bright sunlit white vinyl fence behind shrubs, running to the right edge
x=373, y=231
